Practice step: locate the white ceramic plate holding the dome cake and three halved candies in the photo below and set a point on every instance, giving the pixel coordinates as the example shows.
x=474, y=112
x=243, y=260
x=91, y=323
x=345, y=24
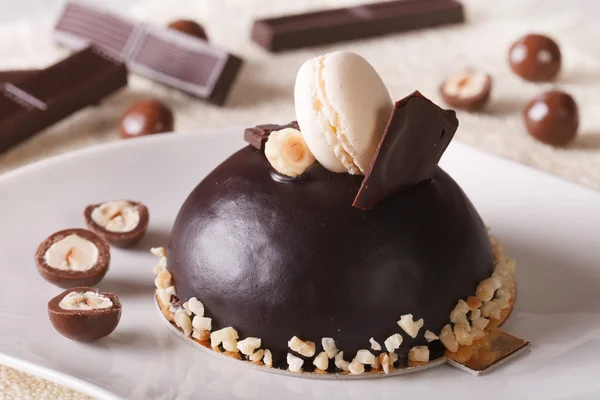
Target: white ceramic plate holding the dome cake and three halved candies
x=551, y=227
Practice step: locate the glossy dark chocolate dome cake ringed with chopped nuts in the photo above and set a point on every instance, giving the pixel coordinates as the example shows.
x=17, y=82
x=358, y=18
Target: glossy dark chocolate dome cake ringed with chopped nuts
x=279, y=260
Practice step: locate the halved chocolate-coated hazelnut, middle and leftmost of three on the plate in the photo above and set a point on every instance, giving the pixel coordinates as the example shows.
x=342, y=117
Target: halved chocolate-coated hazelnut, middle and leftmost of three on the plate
x=73, y=257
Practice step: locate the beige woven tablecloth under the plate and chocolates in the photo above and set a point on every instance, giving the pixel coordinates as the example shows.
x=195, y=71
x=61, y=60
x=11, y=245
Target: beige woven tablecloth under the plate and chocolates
x=410, y=61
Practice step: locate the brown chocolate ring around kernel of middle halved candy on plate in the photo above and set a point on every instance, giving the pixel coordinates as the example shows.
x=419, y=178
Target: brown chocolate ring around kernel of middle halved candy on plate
x=67, y=278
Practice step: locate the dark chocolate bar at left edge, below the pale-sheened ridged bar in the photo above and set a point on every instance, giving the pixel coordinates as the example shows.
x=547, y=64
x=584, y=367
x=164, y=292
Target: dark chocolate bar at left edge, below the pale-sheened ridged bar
x=34, y=103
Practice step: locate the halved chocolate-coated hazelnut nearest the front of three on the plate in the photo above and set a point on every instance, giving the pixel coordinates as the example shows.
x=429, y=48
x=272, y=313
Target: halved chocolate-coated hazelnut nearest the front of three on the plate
x=84, y=314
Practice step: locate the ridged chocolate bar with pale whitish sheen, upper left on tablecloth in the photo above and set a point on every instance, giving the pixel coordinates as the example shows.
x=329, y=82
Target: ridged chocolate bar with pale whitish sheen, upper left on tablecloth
x=164, y=55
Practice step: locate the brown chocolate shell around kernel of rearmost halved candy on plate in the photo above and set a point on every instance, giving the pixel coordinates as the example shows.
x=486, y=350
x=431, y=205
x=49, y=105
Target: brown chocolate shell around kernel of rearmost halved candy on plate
x=119, y=239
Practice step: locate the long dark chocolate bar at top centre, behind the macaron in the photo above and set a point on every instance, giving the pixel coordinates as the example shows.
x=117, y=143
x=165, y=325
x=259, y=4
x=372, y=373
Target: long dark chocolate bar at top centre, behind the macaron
x=329, y=26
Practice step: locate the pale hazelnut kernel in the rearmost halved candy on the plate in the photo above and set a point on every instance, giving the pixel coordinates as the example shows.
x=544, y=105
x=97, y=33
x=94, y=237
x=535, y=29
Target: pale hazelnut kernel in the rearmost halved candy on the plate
x=116, y=216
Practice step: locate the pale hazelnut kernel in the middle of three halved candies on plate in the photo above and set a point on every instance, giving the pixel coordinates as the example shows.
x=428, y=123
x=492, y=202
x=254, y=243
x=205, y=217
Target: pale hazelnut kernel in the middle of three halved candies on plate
x=72, y=253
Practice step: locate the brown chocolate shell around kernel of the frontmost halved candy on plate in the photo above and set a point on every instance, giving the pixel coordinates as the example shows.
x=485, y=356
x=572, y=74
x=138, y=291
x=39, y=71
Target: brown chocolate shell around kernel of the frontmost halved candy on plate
x=84, y=325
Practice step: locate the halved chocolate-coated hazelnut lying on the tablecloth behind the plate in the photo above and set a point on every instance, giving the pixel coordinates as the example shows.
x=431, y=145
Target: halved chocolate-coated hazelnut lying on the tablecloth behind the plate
x=467, y=90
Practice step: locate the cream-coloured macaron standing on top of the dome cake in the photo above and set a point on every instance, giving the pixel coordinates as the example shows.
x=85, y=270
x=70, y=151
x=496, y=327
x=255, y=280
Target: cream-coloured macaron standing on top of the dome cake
x=342, y=107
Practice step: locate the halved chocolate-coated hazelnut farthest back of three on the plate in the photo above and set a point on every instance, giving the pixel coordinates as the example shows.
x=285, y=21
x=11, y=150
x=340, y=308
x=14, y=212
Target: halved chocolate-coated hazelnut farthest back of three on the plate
x=121, y=222
